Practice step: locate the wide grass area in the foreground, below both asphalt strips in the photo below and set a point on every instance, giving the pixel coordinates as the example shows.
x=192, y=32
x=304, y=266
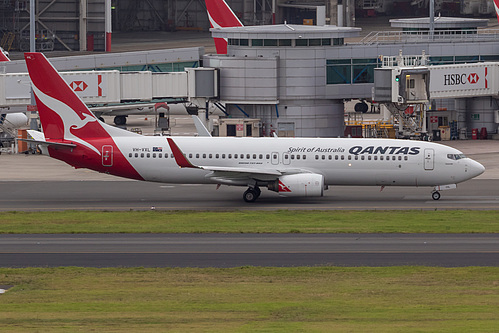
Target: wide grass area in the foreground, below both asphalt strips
x=251, y=299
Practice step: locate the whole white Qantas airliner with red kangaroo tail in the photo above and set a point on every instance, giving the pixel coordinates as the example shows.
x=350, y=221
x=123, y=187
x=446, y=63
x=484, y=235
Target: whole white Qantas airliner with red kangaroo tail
x=289, y=166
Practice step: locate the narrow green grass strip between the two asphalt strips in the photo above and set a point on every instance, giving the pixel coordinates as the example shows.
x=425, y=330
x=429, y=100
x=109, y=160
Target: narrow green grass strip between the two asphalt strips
x=457, y=221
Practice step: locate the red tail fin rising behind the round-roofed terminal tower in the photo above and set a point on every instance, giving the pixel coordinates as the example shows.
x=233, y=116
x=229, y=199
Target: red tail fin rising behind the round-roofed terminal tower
x=221, y=16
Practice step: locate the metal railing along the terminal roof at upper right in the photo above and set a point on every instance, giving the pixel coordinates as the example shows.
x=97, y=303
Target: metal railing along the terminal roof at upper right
x=450, y=36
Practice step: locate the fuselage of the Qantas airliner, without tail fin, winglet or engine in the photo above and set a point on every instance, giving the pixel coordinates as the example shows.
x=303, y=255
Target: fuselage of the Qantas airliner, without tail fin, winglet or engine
x=341, y=161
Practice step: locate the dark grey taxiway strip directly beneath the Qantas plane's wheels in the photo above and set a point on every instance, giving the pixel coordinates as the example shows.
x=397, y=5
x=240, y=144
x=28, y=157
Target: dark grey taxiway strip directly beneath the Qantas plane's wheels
x=127, y=195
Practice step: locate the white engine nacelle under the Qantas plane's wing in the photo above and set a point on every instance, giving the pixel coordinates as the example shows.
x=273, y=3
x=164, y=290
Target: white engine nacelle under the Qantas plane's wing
x=299, y=185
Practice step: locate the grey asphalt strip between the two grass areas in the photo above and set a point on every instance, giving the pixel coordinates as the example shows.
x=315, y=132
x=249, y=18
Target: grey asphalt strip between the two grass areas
x=186, y=250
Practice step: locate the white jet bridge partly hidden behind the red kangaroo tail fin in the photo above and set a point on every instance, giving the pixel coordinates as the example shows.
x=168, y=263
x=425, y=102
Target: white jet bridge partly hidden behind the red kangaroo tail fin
x=105, y=87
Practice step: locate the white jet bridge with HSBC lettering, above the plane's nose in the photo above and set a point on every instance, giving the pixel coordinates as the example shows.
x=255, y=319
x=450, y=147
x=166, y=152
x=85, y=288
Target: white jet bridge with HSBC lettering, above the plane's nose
x=406, y=84
